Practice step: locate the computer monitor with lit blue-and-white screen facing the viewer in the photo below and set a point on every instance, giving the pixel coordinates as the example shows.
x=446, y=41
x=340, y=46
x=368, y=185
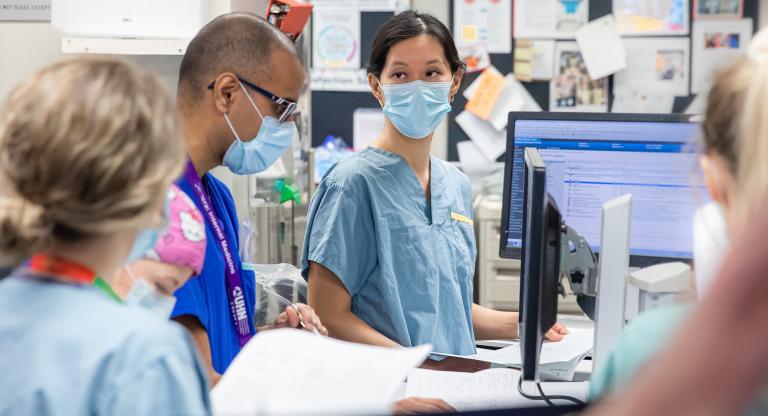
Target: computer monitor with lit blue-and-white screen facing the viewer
x=595, y=157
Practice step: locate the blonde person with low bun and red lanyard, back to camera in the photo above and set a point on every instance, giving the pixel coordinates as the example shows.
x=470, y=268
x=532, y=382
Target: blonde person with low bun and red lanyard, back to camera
x=88, y=149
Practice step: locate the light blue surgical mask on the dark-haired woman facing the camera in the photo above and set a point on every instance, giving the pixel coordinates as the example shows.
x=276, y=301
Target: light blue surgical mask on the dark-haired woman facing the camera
x=416, y=108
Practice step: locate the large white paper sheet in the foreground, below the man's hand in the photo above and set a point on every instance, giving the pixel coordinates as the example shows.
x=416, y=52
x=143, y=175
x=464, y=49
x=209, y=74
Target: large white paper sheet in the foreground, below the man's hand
x=331, y=377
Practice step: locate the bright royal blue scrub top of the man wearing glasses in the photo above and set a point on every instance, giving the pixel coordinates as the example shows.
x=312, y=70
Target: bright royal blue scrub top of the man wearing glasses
x=205, y=295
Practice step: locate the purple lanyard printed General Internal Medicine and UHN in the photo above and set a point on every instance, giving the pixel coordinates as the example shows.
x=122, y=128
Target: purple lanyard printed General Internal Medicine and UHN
x=233, y=280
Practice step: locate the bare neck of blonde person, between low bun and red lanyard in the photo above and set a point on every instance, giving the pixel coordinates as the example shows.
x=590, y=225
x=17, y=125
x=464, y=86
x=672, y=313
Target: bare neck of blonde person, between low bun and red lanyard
x=102, y=255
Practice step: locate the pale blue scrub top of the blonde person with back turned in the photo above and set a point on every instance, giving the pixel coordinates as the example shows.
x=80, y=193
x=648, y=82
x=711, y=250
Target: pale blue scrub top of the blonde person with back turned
x=71, y=350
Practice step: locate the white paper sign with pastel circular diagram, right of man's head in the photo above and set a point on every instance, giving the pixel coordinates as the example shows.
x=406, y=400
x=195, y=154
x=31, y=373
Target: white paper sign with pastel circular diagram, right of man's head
x=336, y=38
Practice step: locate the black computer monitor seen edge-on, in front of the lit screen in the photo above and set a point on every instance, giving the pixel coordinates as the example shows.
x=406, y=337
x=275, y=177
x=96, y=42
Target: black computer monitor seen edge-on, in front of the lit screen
x=540, y=263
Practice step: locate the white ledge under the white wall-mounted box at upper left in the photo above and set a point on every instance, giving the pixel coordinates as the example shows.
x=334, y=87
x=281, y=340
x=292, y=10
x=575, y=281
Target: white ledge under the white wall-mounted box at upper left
x=123, y=46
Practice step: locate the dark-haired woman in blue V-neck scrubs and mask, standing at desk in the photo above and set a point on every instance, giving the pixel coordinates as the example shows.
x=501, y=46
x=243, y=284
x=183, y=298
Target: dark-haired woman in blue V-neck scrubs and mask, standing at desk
x=390, y=247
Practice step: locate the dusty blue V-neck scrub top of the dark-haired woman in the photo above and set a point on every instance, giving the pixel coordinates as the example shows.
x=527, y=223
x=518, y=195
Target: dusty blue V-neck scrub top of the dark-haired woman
x=407, y=265
